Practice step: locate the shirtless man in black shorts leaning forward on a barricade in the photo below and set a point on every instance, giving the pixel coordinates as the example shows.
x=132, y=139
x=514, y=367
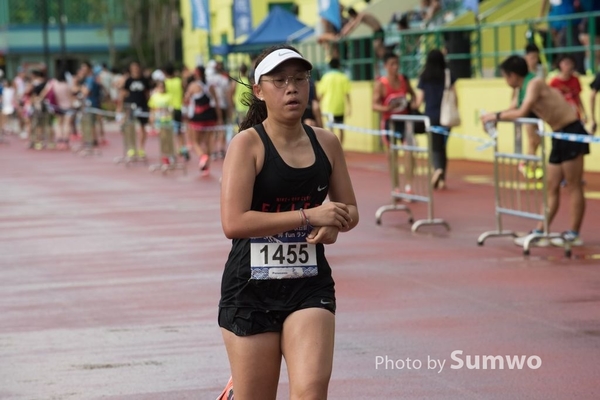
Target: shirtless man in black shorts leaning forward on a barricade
x=566, y=158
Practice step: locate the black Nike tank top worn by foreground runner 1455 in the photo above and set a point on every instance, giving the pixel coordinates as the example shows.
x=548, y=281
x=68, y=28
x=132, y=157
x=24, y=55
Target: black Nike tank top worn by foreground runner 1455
x=279, y=187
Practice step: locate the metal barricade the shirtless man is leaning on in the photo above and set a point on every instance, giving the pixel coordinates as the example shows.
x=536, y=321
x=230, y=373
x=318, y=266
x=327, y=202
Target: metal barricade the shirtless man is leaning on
x=521, y=194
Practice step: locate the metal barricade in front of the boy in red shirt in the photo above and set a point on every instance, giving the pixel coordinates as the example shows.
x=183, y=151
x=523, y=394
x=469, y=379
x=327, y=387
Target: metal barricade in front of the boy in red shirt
x=410, y=165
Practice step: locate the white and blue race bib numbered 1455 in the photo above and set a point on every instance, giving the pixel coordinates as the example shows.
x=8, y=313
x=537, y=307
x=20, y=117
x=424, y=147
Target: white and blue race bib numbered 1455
x=284, y=256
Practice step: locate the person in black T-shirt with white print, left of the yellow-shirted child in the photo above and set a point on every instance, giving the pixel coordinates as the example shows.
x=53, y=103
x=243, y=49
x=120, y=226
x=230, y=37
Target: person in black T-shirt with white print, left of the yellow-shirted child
x=135, y=91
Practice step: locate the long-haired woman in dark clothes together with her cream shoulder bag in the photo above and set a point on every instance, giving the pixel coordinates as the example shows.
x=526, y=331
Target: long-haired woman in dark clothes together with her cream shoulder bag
x=436, y=90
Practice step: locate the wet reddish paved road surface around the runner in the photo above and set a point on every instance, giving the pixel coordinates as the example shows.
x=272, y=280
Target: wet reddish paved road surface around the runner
x=109, y=281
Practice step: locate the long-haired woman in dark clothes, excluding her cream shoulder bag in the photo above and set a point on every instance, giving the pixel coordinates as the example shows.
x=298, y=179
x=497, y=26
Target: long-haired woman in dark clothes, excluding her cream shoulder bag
x=431, y=91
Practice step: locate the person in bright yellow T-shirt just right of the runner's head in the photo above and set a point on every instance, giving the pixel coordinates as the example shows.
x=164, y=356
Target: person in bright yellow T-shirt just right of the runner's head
x=333, y=90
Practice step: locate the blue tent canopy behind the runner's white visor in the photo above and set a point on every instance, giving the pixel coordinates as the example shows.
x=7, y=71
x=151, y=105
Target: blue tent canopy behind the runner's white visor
x=280, y=26
